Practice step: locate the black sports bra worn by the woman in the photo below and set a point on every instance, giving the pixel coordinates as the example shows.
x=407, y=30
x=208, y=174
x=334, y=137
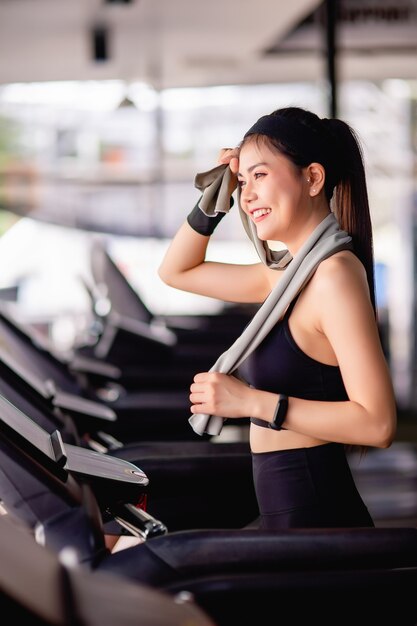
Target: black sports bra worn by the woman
x=280, y=366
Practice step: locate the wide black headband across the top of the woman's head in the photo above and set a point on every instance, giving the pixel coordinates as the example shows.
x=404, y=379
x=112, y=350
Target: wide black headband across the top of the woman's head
x=297, y=137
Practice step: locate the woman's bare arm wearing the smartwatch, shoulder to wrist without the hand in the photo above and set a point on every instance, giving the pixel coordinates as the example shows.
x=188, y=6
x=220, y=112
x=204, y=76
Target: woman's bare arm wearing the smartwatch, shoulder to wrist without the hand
x=340, y=294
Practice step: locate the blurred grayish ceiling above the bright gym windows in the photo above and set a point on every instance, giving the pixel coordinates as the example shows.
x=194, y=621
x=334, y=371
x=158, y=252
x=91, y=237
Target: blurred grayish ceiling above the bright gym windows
x=172, y=43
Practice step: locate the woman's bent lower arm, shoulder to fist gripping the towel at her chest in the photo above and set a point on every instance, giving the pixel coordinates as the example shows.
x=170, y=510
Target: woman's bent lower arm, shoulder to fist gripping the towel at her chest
x=343, y=313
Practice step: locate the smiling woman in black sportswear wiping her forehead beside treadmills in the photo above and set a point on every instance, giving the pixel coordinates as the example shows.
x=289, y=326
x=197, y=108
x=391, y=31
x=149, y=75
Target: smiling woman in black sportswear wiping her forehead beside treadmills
x=322, y=364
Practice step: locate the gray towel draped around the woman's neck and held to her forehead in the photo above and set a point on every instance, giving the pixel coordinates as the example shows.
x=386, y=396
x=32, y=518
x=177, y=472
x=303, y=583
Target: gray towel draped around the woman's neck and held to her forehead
x=325, y=240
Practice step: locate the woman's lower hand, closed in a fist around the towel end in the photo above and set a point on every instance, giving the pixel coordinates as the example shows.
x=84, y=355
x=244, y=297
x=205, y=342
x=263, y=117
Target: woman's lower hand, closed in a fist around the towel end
x=213, y=393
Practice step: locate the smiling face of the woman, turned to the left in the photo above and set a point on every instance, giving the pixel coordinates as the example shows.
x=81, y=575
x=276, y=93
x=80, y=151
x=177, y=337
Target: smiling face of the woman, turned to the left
x=274, y=193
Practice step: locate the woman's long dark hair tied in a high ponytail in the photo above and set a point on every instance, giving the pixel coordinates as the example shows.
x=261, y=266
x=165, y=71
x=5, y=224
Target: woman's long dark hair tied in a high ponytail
x=334, y=144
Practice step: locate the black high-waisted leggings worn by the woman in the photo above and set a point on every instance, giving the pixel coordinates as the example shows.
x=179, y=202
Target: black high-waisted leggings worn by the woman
x=307, y=488
